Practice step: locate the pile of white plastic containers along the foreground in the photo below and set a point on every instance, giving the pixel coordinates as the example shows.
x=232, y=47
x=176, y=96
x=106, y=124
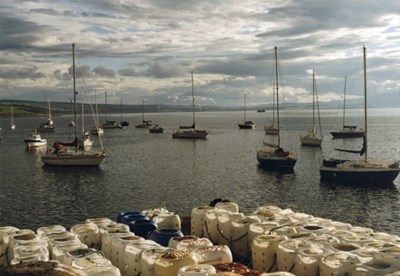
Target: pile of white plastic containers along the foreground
x=272, y=240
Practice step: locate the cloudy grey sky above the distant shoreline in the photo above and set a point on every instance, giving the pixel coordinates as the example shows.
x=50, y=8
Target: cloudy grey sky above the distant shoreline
x=145, y=50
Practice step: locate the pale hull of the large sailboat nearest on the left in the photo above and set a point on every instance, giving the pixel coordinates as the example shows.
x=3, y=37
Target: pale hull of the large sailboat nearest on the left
x=73, y=159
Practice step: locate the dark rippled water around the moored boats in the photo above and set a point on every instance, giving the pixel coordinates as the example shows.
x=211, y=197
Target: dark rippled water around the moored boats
x=145, y=170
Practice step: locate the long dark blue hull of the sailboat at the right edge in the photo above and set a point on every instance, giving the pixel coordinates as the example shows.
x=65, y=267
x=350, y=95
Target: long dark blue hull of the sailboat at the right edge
x=331, y=172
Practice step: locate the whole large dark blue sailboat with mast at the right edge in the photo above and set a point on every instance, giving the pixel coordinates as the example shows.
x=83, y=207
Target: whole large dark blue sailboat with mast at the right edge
x=365, y=171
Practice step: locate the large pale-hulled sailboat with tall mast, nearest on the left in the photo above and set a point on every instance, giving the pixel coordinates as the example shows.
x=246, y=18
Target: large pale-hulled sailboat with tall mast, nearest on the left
x=62, y=155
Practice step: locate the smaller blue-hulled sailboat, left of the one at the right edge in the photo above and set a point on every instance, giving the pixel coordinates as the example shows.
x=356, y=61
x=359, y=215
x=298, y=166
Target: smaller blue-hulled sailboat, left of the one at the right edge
x=273, y=157
